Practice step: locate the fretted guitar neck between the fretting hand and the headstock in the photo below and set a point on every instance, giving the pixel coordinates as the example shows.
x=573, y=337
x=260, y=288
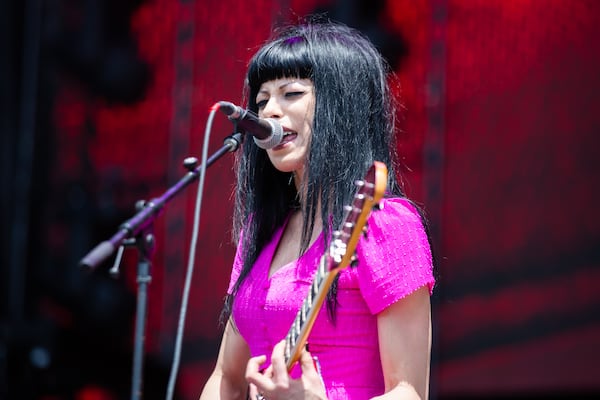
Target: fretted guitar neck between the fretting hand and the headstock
x=302, y=325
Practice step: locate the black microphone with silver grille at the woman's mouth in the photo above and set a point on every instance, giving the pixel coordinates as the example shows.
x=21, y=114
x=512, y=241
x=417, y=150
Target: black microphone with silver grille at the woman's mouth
x=267, y=132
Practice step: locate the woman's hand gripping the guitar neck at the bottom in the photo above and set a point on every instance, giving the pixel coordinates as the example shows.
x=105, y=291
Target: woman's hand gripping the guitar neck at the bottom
x=276, y=384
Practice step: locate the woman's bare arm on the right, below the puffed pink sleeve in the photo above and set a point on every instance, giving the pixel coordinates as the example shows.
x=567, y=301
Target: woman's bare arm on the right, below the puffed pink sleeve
x=405, y=346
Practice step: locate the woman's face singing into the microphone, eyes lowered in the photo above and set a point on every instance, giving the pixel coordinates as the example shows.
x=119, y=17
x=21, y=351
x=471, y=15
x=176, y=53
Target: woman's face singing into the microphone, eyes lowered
x=291, y=101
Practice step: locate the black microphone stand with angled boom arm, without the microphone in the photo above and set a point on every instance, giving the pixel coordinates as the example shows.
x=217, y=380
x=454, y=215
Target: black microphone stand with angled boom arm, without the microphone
x=138, y=231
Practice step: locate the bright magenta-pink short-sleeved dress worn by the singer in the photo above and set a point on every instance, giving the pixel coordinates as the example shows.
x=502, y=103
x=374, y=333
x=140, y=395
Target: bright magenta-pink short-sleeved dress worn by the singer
x=393, y=261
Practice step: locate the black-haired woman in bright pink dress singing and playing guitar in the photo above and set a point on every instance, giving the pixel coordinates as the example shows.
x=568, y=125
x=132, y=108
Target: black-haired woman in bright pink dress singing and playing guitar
x=328, y=88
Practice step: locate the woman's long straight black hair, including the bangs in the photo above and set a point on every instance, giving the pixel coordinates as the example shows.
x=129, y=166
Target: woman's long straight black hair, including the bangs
x=354, y=125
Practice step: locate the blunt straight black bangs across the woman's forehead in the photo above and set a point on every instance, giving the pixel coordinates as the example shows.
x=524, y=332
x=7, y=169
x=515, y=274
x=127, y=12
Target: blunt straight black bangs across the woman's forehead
x=285, y=58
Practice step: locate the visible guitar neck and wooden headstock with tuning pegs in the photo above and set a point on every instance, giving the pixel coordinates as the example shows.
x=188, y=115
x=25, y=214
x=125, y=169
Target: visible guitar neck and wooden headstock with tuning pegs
x=340, y=255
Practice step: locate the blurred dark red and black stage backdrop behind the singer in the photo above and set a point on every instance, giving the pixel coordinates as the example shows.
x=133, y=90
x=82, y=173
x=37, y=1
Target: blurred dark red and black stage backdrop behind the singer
x=102, y=101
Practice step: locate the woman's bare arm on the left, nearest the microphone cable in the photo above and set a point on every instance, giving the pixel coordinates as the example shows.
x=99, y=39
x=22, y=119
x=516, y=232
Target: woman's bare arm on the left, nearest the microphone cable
x=227, y=380
